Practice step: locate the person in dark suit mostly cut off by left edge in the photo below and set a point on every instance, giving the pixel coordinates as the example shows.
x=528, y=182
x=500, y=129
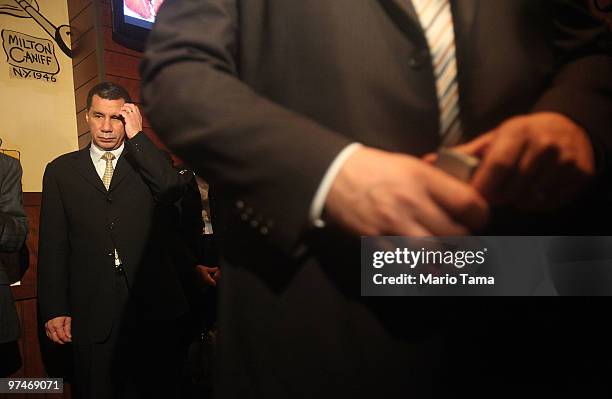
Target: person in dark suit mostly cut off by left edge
x=13, y=231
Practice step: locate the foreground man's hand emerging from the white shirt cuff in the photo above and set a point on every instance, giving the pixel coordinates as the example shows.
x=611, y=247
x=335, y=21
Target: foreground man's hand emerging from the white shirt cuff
x=382, y=193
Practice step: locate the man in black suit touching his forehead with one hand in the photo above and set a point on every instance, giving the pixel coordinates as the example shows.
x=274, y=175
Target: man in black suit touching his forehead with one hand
x=106, y=279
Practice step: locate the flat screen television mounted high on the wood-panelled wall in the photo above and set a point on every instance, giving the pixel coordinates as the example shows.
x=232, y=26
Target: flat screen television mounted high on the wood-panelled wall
x=132, y=21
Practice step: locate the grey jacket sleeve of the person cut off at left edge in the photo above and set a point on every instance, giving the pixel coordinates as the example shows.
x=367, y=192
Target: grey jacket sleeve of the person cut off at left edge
x=13, y=221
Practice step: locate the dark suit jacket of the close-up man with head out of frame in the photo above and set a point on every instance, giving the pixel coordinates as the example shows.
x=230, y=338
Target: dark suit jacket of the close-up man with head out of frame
x=274, y=89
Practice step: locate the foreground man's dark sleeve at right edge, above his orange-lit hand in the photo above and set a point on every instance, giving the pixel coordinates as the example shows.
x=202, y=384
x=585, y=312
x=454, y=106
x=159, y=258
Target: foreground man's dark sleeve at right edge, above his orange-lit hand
x=582, y=87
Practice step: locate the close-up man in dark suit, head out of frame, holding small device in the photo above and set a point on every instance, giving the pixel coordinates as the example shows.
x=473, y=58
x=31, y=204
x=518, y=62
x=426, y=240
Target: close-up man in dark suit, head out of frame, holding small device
x=275, y=95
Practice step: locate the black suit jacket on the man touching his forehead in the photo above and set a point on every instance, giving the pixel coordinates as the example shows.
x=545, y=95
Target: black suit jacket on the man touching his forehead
x=81, y=224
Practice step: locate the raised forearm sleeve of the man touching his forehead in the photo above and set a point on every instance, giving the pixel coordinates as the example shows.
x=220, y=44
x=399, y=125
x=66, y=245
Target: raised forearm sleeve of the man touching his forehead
x=164, y=181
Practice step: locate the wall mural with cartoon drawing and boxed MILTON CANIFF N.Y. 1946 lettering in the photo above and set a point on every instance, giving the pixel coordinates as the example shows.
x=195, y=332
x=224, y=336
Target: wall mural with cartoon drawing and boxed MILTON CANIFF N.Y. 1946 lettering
x=31, y=57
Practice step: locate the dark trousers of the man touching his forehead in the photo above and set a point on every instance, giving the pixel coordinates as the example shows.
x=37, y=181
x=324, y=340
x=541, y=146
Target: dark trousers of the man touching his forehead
x=139, y=359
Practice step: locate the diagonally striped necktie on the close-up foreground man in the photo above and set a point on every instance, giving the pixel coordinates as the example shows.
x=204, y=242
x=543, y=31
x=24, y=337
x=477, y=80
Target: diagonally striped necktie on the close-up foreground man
x=437, y=23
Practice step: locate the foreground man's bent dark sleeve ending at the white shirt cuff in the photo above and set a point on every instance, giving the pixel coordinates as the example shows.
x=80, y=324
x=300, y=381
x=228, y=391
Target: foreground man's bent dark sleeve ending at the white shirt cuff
x=261, y=156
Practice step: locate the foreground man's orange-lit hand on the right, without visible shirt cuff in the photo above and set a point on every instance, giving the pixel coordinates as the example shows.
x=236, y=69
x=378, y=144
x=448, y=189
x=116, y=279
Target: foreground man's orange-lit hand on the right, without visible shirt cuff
x=536, y=162
